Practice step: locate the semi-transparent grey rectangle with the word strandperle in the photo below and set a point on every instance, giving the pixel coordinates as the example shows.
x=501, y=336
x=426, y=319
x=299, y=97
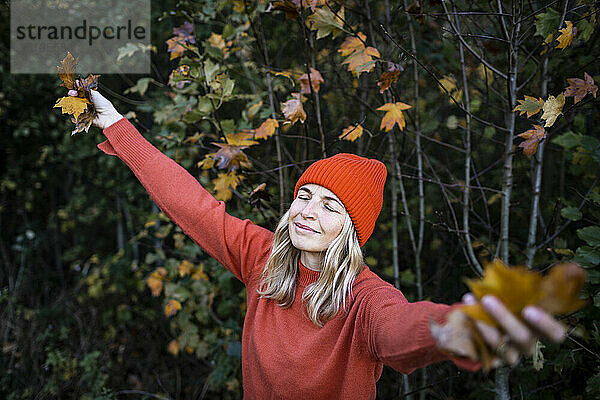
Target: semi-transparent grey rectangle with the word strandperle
x=109, y=36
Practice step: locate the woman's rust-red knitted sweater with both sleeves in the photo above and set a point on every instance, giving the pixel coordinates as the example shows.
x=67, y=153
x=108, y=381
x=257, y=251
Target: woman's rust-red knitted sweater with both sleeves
x=284, y=355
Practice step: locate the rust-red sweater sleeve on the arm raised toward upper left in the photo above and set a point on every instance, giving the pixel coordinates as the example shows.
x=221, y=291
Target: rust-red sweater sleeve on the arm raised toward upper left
x=238, y=245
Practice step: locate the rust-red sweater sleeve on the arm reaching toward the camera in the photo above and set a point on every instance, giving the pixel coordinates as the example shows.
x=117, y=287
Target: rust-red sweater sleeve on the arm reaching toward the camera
x=398, y=331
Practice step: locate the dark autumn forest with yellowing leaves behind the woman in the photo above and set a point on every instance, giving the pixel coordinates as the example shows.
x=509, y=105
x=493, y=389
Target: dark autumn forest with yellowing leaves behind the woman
x=484, y=112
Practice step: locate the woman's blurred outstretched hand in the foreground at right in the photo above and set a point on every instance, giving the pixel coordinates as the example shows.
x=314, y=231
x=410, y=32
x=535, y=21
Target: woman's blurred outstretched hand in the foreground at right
x=505, y=345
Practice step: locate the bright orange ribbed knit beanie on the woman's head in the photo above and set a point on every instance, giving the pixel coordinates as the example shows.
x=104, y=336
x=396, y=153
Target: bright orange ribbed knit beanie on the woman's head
x=356, y=181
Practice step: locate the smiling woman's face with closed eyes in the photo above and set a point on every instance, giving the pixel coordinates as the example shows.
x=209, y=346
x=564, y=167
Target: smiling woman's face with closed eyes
x=316, y=218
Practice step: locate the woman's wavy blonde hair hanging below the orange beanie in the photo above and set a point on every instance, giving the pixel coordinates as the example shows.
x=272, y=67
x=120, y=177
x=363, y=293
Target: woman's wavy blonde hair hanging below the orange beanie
x=342, y=263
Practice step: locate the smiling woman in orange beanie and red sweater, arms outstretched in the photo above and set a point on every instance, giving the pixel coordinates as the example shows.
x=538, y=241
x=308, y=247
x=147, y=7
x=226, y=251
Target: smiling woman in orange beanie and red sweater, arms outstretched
x=319, y=324
